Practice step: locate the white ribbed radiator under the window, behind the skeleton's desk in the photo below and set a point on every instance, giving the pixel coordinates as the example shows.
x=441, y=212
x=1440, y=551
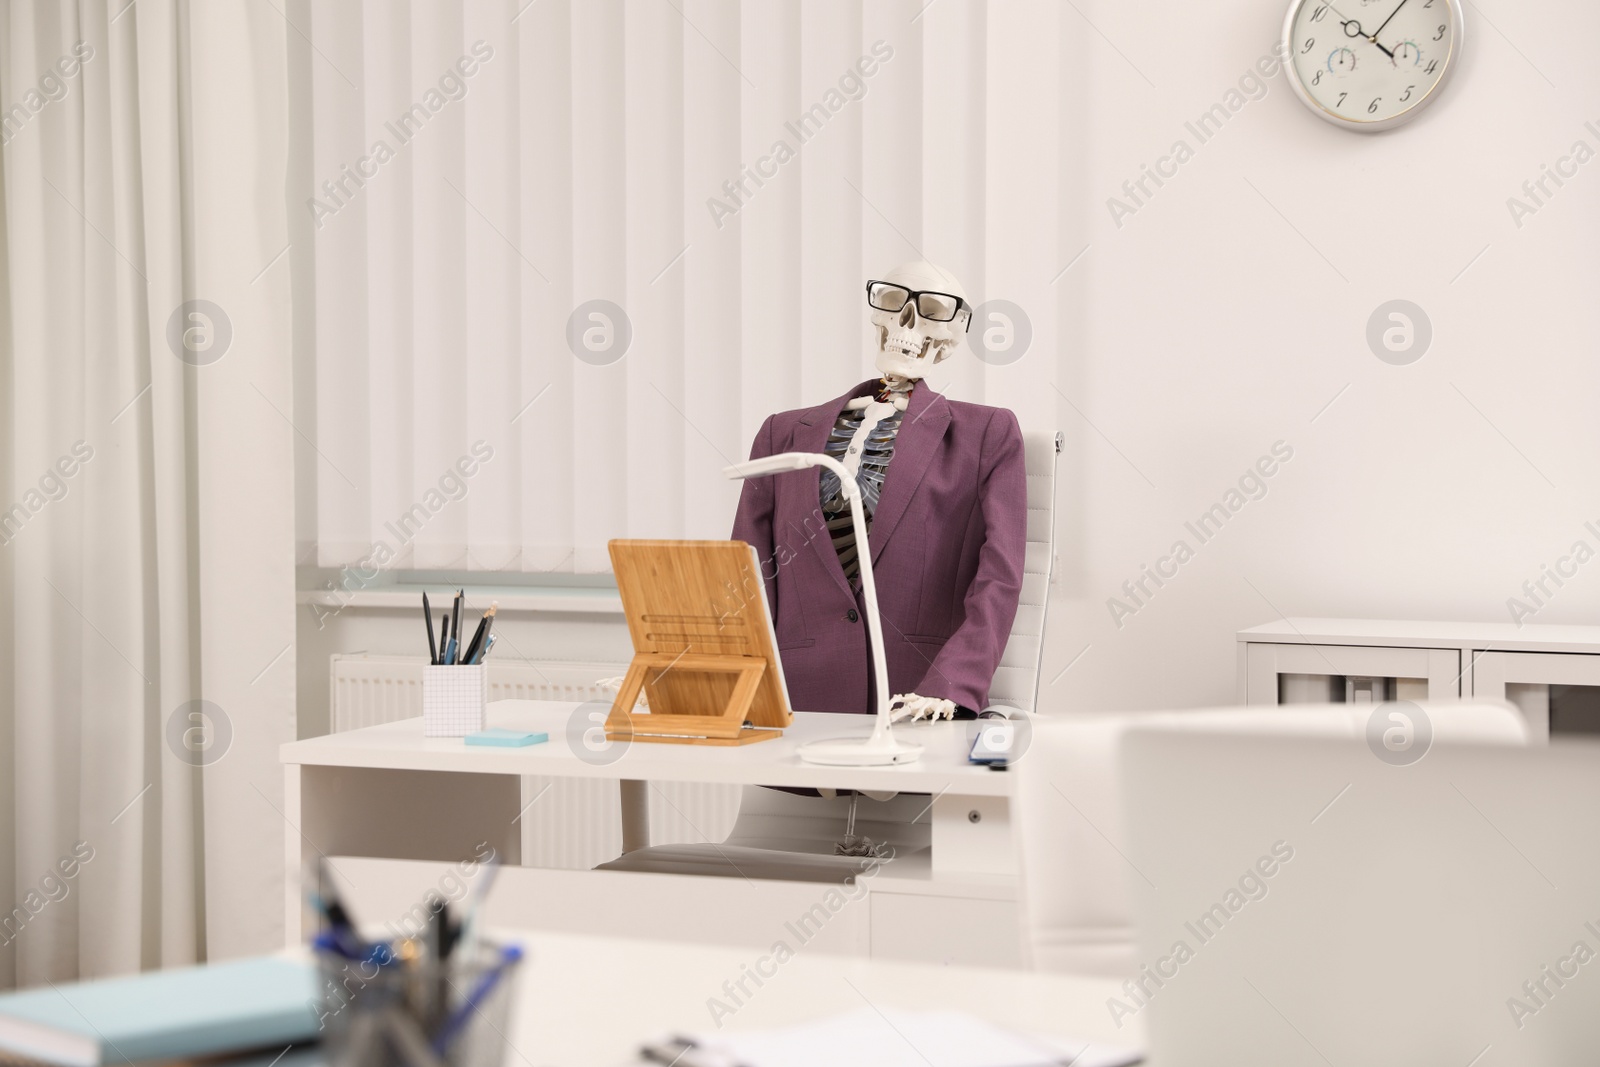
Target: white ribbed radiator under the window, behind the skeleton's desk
x=575, y=823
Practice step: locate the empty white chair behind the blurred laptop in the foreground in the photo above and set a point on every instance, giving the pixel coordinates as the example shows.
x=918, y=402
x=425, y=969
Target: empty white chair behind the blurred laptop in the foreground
x=1068, y=815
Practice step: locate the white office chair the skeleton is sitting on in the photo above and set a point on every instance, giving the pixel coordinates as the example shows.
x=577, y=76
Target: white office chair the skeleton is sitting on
x=790, y=837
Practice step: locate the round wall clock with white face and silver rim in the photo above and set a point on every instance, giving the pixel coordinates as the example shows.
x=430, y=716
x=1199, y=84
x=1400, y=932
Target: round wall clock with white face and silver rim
x=1372, y=65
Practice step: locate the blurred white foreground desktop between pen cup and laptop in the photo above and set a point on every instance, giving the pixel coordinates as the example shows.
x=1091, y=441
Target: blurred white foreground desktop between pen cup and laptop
x=591, y=1001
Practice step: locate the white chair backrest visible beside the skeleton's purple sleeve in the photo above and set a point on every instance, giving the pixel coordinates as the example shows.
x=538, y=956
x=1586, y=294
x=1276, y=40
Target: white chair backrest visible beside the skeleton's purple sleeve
x=1017, y=679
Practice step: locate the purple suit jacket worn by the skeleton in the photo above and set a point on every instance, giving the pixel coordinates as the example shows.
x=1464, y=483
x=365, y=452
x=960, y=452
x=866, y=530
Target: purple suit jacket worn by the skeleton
x=948, y=545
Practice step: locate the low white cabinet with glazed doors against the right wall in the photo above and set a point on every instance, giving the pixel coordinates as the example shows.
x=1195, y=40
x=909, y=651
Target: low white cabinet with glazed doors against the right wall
x=1550, y=673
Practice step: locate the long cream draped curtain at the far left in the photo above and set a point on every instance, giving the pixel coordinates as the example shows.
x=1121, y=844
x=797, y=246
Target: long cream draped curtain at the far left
x=146, y=505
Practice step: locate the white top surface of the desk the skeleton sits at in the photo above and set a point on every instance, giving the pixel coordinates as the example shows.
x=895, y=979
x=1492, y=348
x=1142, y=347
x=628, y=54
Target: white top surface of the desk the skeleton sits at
x=574, y=729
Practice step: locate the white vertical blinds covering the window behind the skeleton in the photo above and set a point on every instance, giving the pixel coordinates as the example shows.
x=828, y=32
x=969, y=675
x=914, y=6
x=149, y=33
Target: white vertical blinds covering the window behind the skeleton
x=596, y=151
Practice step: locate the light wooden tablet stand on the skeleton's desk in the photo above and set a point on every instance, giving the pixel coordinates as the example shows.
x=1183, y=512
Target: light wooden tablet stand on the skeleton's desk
x=705, y=652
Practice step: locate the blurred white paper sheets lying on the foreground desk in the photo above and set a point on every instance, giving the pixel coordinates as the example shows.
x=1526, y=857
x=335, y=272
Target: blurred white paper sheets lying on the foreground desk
x=911, y=1039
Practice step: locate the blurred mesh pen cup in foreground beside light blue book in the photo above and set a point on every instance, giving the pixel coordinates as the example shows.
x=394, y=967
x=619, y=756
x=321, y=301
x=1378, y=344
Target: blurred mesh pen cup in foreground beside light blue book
x=393, y=1012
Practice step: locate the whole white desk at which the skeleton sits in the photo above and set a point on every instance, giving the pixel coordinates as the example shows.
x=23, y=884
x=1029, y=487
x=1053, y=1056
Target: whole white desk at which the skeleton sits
x=391, y=793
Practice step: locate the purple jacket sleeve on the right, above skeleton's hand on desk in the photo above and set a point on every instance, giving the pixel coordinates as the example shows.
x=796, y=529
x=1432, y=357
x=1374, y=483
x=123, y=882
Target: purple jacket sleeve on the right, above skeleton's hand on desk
x=967, y=665
